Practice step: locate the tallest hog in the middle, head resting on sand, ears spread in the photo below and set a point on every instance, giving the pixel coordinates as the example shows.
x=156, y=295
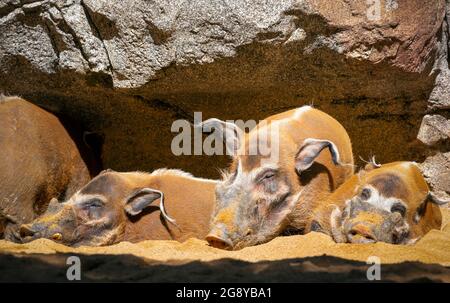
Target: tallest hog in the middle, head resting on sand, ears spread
x=262, y=195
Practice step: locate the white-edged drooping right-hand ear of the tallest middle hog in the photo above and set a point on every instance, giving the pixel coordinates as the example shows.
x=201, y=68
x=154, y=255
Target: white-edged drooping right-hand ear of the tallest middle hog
x=311, y=149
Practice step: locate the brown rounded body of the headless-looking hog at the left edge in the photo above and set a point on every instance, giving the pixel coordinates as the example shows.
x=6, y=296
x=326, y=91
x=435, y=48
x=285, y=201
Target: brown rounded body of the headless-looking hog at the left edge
x=39, y=161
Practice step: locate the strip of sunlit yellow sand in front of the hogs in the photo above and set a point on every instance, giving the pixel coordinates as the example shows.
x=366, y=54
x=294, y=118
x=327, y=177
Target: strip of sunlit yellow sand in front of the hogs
x=433, y=248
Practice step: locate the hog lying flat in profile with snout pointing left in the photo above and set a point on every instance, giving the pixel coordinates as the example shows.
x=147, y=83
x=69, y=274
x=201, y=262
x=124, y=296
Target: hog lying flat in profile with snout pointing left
x=117, y=207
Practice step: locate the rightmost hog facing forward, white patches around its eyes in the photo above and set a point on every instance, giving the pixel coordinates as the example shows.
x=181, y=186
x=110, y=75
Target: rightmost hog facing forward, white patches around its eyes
x=390, y=203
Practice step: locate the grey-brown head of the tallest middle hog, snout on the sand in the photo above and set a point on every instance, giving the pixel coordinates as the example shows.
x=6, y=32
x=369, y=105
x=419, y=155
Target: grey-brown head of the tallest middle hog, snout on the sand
x=256, y=196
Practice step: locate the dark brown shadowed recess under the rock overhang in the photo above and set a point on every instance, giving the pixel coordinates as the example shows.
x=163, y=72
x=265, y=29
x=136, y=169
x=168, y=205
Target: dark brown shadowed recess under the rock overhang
x=380, y=106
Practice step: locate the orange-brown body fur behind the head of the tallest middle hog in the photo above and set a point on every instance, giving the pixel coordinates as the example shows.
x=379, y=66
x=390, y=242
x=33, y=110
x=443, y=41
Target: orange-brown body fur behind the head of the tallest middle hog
x=323, y=177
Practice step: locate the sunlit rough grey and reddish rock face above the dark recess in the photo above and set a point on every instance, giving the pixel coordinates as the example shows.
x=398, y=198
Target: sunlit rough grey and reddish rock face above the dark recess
x=133, y=40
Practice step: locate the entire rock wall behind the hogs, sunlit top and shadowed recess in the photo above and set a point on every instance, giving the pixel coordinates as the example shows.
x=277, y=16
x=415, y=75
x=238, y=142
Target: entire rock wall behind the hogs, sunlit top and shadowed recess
x=128, y=69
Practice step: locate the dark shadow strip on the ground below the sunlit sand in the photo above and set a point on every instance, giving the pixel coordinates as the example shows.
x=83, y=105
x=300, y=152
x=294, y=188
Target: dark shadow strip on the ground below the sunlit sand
x=127, y=268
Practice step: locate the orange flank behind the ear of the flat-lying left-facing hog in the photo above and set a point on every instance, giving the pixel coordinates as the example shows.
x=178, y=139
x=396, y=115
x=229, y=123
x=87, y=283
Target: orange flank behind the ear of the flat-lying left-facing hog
x=189, y=201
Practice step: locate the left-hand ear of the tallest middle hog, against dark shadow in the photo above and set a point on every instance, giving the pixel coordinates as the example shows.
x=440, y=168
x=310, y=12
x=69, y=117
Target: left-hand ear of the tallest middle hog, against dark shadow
x=227, y=132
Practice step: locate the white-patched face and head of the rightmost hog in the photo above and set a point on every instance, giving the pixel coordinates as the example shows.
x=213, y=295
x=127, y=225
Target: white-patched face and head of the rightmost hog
x=382, y=210
